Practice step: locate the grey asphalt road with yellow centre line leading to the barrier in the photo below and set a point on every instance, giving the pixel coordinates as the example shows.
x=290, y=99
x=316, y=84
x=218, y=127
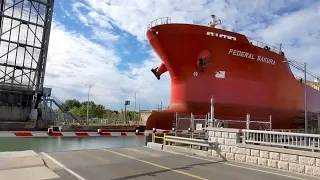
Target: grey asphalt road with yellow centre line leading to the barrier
x=146, y=164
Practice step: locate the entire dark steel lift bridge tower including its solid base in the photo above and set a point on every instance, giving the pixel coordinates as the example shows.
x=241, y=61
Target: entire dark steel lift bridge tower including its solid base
x=24, y=37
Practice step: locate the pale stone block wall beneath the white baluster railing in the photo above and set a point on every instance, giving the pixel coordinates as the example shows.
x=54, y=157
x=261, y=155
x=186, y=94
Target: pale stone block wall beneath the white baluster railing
x=230, y=148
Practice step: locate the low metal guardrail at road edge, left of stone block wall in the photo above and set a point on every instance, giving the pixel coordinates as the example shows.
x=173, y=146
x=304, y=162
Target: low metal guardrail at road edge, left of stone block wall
x=190, y=141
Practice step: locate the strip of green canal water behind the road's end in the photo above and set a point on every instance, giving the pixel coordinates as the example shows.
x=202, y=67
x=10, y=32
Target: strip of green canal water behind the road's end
x=55, y=144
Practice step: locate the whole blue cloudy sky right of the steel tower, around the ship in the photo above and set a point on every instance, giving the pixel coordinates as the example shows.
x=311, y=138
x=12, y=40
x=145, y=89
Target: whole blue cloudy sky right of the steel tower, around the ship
x=103, y=42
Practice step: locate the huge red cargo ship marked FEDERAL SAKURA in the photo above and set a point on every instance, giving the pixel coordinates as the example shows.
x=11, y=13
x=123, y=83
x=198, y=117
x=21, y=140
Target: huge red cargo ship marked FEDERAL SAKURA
x=243, y=76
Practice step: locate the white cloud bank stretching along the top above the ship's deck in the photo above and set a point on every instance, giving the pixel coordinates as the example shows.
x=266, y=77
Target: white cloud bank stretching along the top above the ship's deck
x=285, y=22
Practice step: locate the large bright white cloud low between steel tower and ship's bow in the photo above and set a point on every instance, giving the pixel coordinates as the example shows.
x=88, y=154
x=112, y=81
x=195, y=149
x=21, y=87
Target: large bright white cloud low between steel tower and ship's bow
x=75, y=61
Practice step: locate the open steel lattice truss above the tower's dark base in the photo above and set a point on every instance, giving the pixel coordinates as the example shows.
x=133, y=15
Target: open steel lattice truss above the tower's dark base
x=24, y=37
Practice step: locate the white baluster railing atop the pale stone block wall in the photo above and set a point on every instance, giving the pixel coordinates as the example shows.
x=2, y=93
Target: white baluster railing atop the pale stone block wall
x=282, y=139
